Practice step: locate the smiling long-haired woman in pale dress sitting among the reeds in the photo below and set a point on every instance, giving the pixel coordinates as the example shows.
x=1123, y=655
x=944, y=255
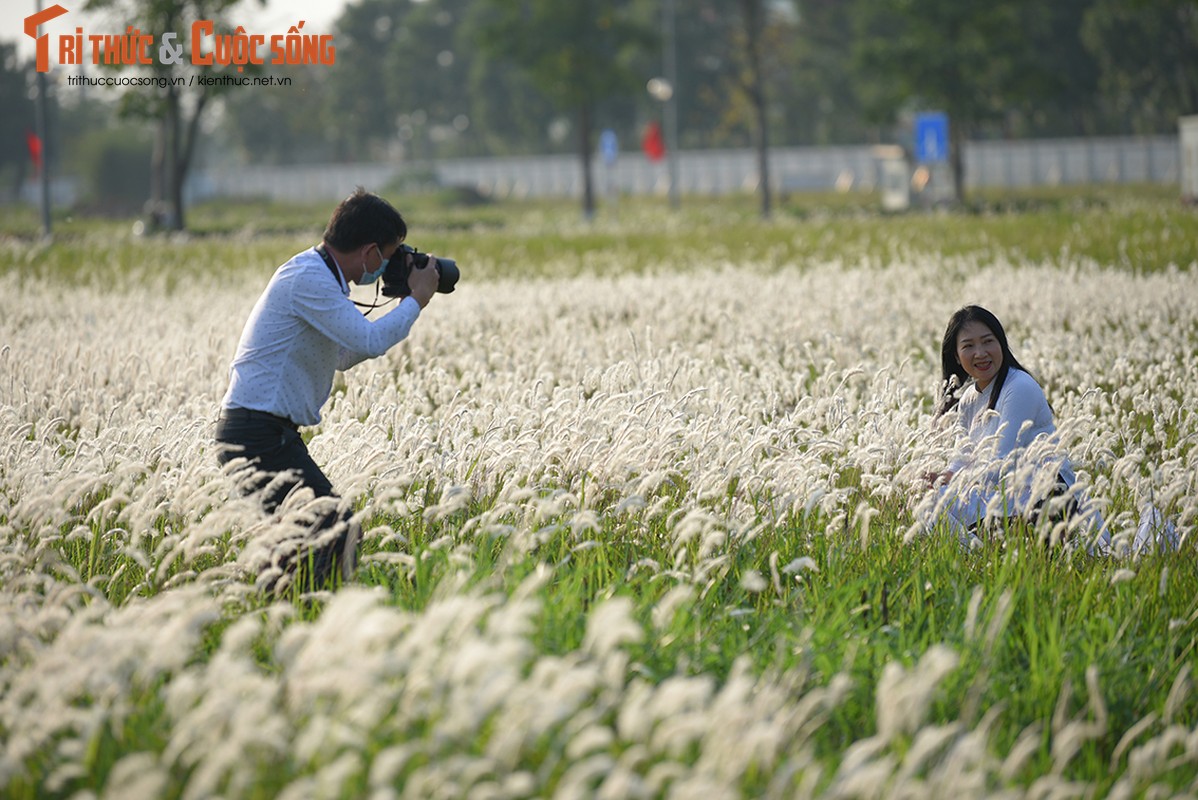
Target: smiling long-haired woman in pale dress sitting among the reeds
x=1008, y=464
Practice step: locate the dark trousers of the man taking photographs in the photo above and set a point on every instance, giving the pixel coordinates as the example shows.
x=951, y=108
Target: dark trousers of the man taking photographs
x=276, y=463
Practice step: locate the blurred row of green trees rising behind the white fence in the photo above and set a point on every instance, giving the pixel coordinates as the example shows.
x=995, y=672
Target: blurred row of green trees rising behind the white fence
x=425, y=80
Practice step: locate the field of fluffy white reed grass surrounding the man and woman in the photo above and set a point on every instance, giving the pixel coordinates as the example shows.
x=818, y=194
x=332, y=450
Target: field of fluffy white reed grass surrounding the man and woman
x=709, y=405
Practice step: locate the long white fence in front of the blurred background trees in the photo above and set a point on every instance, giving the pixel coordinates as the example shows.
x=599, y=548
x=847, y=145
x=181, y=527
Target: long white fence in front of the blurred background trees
x=1048, y=162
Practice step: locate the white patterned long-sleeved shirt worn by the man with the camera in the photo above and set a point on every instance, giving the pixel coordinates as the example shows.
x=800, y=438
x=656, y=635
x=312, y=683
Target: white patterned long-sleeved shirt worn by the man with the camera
x=302, y=330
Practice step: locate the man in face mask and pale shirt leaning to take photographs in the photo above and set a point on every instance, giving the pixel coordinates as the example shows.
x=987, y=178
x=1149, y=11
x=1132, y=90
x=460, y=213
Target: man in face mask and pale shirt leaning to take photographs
x=304, y=329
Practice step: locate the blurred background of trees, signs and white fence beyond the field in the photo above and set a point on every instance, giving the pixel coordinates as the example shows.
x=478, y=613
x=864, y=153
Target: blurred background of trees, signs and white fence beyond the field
x=913, y=101
